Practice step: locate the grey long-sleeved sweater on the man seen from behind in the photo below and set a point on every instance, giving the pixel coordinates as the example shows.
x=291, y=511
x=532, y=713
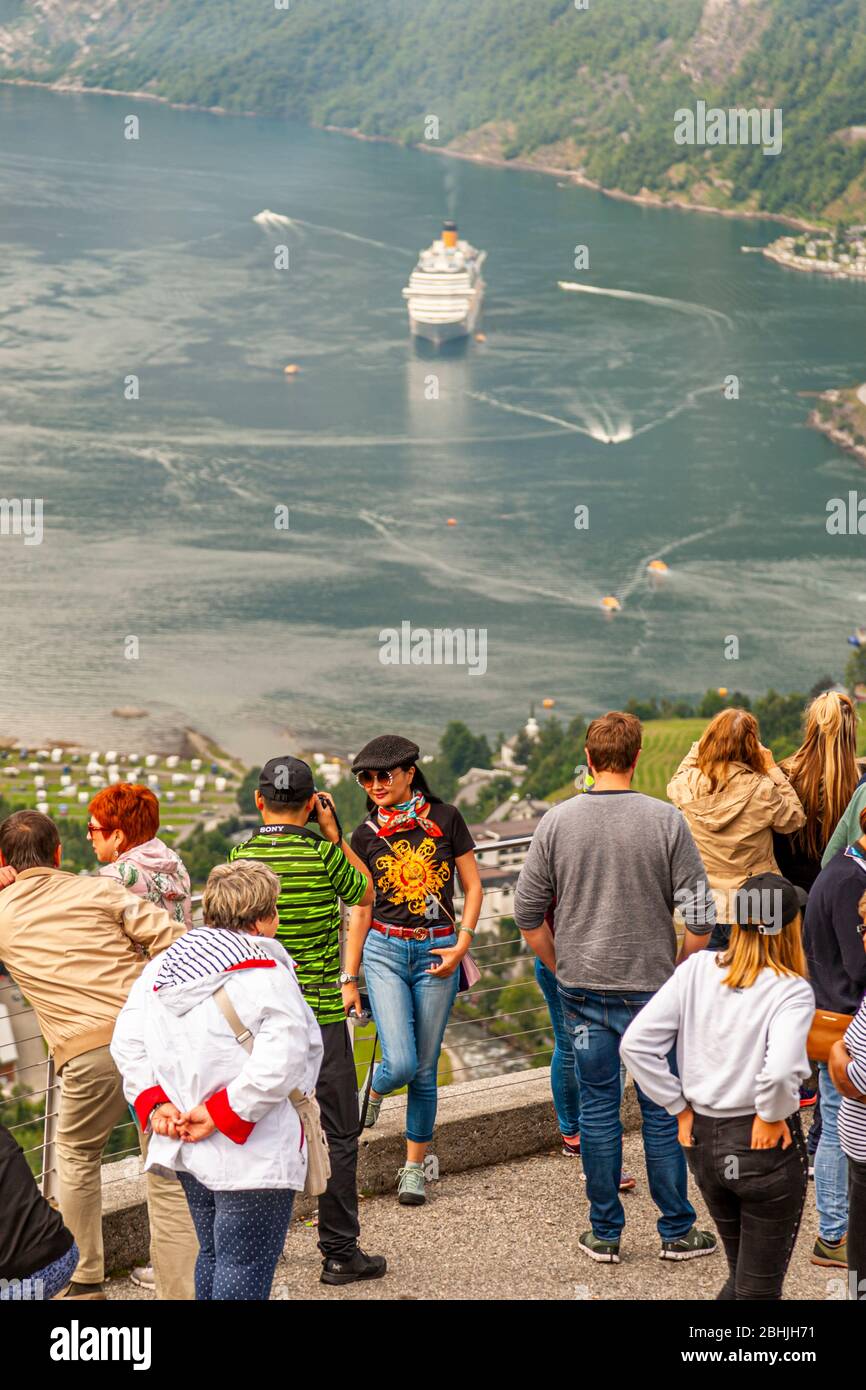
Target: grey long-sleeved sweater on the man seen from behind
x=618, y=865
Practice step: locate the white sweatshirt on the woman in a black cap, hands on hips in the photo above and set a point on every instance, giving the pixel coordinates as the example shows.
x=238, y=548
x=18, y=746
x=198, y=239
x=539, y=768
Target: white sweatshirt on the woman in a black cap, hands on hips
x=739, y=1052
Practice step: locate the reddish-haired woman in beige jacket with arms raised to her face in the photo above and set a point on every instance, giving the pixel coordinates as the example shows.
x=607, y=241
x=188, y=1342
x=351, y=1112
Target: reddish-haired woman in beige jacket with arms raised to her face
x=735, y=797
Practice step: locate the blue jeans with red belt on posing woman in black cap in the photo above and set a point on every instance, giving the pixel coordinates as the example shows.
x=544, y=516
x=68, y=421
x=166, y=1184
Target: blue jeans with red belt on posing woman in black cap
x=411, y=1008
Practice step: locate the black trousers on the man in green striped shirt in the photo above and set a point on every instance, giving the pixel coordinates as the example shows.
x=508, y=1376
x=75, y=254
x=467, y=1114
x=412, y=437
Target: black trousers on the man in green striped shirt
x=337, y=1096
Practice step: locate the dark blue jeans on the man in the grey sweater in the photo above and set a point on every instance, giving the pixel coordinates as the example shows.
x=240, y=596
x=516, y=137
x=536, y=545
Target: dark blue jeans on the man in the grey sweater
x=597, y=1024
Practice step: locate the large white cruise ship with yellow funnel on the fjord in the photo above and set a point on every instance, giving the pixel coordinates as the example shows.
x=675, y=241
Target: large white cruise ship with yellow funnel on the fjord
x=446, y=290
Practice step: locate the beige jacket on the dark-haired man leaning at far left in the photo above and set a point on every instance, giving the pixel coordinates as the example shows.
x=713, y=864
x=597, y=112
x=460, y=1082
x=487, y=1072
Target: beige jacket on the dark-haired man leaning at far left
x=70, y=945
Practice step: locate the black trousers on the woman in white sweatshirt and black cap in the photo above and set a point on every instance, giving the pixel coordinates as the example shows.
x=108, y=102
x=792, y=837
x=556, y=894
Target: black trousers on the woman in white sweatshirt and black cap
x=755, y=1197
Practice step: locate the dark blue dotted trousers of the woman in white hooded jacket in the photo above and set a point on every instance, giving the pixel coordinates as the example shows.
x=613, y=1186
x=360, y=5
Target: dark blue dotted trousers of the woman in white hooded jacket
x=241, y=1238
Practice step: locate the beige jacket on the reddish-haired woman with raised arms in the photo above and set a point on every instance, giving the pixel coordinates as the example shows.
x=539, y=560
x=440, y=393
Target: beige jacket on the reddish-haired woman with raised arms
x=733, y=826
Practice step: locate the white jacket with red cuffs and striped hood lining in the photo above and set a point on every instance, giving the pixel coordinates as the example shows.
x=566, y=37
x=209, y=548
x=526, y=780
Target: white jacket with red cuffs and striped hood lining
x=172, y=1043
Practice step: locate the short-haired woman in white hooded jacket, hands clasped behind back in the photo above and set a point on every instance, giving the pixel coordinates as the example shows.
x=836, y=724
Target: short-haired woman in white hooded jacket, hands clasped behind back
x=220, y=1117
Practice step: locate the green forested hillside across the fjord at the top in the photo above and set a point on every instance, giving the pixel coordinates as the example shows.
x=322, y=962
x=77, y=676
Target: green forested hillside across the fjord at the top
x=594, y=91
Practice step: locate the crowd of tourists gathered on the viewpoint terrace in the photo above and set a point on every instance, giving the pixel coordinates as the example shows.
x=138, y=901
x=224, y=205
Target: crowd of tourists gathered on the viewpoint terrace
x=711, y=946
